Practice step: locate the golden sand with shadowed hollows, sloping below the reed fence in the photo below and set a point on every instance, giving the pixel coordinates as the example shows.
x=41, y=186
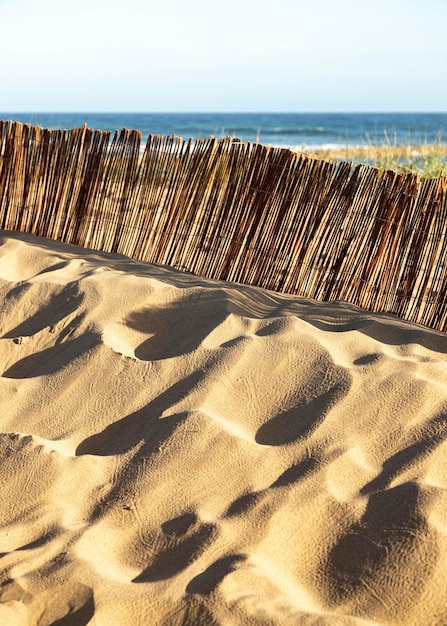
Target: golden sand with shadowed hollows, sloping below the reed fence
x=182, y=451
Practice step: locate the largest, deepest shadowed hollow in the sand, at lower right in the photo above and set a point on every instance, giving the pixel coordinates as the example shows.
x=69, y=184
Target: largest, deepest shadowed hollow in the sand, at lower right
x=383, y=563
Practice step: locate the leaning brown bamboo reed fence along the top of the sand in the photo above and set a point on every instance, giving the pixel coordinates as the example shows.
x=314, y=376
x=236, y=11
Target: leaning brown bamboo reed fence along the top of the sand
x=235, y=211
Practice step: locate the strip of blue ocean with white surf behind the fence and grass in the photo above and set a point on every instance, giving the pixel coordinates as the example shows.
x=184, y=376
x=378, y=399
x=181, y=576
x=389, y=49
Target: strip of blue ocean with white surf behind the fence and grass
x=295, y=130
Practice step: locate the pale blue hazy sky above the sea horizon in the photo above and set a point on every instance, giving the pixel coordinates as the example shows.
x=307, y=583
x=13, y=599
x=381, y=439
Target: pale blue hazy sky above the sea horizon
x=229, y=56
